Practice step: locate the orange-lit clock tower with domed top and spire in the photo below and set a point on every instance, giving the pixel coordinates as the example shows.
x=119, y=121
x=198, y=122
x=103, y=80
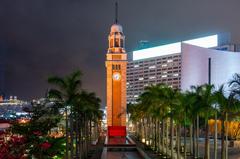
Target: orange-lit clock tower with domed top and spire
x=116, y=65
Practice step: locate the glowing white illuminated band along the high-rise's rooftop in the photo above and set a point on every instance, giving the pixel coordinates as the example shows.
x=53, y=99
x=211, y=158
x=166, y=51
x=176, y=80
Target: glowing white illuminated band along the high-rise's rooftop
x=205, y=42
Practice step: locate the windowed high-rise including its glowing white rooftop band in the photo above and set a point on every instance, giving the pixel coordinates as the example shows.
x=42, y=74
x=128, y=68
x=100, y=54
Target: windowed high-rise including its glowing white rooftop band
x=163, y=64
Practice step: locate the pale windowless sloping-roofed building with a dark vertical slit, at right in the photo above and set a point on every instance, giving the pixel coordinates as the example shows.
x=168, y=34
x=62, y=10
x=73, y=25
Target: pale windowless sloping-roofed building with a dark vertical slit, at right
x=195, y=66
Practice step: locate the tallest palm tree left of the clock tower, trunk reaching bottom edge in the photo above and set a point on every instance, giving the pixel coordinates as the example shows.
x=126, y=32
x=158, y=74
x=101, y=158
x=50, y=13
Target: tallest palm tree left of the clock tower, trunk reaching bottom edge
x=66, y=90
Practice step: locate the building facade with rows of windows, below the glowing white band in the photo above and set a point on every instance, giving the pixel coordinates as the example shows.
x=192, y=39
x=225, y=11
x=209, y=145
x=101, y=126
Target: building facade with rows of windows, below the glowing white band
x=143, y=73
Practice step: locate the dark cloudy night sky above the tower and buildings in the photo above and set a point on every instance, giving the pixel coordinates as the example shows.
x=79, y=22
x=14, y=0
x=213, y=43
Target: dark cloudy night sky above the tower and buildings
x=39, y=38
